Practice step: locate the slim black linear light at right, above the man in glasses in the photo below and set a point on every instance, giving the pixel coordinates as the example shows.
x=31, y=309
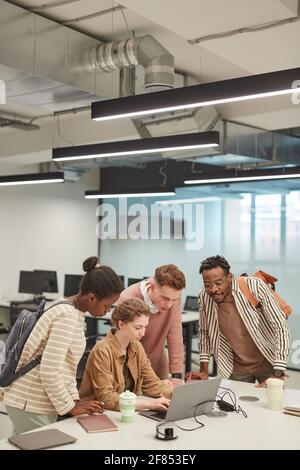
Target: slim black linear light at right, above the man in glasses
x=235, y=176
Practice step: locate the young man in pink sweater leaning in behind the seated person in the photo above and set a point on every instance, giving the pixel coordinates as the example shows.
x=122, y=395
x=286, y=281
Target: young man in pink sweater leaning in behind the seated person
x=162, y=294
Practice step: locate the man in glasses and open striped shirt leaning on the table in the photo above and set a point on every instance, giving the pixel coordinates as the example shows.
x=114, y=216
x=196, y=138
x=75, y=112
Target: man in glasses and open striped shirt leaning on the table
x=248, y=343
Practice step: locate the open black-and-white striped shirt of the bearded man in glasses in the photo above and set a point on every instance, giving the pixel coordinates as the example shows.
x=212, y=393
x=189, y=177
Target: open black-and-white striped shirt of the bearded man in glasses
x=267, y=327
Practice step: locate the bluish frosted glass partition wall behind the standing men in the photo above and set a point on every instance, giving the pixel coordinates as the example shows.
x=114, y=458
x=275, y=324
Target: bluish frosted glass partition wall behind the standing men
x=253, y=225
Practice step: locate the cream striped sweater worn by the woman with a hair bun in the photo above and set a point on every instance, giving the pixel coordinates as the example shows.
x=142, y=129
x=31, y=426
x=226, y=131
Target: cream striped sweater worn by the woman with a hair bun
x=50, y=388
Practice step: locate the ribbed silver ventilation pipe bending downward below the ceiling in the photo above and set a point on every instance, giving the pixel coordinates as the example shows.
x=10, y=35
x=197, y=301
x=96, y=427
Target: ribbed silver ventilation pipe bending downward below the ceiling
x=145, y=51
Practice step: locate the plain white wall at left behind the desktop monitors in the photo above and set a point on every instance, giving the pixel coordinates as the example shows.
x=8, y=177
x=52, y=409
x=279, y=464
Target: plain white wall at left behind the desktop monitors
x=48, y=226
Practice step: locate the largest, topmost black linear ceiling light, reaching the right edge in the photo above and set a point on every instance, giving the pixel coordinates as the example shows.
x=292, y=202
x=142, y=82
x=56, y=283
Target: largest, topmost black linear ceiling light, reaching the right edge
x=226, y=91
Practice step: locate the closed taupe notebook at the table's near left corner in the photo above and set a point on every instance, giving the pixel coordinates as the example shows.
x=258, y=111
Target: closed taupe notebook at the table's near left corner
x=41, y=439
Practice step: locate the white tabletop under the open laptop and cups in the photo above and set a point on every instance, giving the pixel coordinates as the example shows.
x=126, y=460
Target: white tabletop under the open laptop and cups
x=263, y=429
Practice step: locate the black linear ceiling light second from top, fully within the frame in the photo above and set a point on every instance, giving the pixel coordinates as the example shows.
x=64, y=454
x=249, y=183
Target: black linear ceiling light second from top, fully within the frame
x=138, y=146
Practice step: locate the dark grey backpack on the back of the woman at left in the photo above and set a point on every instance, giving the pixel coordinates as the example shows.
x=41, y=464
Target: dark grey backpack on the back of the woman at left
x=16, y=341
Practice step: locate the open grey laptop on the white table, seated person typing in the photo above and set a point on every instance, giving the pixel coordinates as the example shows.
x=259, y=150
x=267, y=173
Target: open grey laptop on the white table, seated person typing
x=186, y=401
